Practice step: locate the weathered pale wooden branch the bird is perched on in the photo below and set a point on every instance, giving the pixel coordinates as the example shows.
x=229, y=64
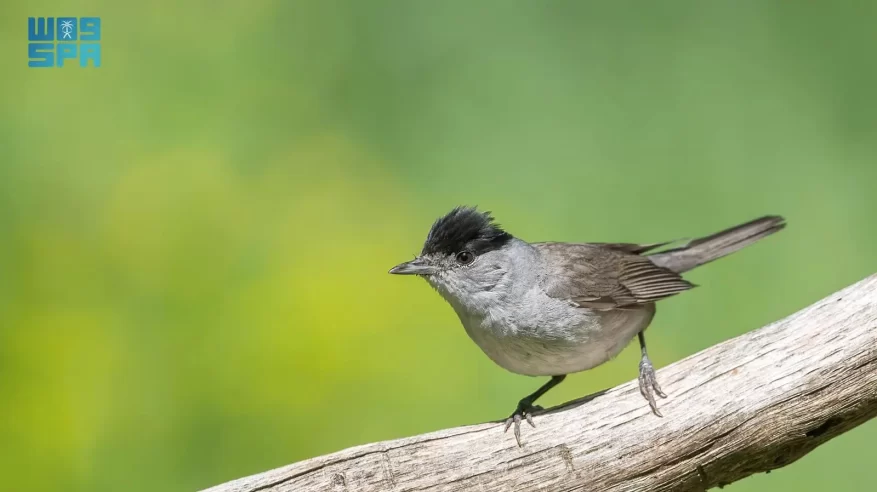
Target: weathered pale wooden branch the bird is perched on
x=751, y=404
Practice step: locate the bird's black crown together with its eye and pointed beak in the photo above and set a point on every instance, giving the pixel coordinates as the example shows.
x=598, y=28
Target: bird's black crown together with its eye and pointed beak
x=464, y=230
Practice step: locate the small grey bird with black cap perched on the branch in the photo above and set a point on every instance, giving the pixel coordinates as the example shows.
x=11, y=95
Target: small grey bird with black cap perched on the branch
x=552, y=309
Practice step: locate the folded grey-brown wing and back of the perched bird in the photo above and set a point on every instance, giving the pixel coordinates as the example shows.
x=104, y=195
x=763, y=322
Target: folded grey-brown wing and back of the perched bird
x=599, y=276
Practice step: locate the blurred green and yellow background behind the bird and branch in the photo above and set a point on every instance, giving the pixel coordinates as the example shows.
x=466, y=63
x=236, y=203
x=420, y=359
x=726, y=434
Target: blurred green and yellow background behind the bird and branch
x=196, y=236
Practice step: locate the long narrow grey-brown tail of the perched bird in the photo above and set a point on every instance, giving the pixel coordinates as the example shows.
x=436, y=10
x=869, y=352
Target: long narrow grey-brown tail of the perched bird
x=709, y=248
